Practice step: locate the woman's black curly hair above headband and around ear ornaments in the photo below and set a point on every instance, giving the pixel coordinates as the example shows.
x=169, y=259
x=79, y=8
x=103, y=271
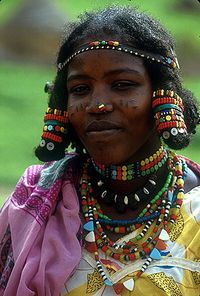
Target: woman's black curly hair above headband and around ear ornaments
x=137, y=29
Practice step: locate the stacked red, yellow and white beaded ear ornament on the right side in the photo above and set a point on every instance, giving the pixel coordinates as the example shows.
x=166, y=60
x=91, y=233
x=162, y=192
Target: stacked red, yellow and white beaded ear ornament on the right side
x=168, y=111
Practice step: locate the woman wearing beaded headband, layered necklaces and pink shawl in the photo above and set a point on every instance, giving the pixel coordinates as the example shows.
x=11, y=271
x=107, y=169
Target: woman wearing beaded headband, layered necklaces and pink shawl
x=120, y=214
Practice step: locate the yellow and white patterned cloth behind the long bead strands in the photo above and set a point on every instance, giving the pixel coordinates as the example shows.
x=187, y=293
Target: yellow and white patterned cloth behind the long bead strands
x=177, y=273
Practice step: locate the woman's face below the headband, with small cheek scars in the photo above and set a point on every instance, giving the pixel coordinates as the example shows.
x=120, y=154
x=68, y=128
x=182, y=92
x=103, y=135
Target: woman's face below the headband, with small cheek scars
x=121, y=81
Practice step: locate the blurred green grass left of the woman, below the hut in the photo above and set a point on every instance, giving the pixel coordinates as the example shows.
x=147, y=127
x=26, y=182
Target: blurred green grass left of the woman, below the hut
x=22, y=104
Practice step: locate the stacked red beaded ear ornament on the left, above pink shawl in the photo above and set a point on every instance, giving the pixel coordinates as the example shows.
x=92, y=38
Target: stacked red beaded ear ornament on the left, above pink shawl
x=53, y=139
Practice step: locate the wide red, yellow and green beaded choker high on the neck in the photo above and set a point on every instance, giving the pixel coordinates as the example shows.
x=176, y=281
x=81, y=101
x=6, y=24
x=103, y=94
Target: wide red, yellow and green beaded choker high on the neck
x=134, y=170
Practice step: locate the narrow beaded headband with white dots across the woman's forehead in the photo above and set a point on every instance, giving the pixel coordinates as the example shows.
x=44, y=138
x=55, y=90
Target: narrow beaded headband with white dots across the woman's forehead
x=115, y=45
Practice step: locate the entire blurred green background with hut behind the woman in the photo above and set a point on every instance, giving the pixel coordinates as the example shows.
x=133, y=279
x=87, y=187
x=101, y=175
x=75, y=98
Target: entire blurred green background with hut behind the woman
x=29, y=37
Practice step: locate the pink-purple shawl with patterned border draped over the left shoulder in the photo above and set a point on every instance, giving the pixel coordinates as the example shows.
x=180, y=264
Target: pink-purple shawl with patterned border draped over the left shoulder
x=44, y=242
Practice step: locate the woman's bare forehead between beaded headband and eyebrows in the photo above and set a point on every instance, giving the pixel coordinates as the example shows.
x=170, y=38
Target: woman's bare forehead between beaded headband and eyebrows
x=105, y=60
